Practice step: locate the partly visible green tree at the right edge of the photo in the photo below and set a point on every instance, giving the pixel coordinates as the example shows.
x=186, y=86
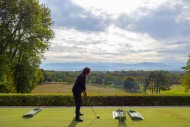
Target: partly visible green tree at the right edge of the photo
x=186, y=78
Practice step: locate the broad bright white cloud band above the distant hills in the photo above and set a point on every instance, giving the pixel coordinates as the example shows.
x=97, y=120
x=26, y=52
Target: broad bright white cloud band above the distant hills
x=113, y=45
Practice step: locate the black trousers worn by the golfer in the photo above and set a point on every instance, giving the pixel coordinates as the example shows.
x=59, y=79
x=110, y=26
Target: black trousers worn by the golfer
x=78, y=102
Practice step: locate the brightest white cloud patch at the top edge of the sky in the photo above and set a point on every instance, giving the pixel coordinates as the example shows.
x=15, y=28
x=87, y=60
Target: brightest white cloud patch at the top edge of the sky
x=117, y=6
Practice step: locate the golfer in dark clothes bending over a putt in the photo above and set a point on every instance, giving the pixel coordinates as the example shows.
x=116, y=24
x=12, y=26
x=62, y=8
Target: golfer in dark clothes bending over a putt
x=78, y=88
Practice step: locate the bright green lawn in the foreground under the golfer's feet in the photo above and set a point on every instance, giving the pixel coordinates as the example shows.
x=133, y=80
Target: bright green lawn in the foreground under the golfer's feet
x=63, y=117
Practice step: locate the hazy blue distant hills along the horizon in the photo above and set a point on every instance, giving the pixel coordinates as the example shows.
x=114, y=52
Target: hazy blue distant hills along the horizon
x=76, y=66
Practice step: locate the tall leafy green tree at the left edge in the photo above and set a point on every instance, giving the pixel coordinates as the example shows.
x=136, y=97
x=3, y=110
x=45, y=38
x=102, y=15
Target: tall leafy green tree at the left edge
x=25, y=27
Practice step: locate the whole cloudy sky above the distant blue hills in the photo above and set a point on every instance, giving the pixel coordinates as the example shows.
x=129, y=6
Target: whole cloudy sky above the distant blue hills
x=119, y=31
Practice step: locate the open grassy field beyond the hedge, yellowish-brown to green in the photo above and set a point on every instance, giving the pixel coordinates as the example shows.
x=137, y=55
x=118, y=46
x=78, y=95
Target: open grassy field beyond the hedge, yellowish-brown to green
x=99, y=90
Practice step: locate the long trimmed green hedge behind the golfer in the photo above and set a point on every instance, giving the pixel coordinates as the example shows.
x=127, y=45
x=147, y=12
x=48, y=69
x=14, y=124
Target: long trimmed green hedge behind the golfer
x=66, y=100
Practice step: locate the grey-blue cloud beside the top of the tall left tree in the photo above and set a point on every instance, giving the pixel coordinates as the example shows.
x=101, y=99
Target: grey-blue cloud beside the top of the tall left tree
x=67, y=14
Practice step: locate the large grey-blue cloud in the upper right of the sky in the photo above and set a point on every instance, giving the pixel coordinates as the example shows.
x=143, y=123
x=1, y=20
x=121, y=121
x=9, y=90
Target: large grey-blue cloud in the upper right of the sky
x=168, y=22
